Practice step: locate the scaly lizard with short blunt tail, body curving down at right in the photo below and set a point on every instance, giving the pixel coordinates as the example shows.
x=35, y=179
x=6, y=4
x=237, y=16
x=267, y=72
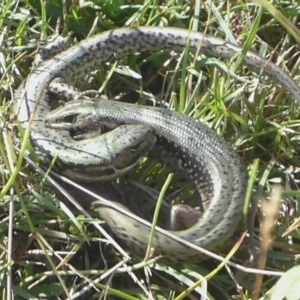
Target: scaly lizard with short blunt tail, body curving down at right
x=189, y=146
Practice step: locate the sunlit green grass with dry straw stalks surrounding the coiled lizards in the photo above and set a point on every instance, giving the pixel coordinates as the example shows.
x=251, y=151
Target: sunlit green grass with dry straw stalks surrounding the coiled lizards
x=50, y=250
